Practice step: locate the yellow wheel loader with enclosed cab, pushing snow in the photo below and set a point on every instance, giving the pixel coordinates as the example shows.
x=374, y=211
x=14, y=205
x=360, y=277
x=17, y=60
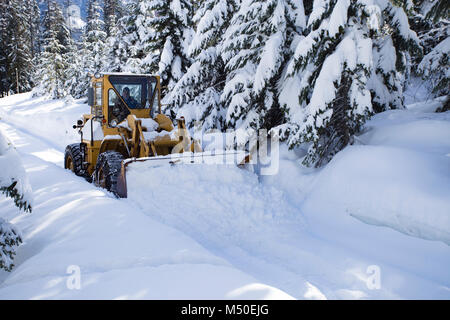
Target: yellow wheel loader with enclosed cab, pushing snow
x=125, y=126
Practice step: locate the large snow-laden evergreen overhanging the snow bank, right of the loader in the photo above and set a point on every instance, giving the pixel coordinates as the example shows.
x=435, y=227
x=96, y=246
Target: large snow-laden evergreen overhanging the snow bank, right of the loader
x=351, y=63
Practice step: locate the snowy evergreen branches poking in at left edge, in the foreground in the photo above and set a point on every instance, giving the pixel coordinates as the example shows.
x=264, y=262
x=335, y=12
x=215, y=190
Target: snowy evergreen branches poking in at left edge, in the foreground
x=14, y=185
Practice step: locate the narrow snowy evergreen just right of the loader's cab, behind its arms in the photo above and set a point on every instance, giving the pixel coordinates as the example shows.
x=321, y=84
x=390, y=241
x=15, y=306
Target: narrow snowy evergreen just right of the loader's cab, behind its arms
x=197, y=94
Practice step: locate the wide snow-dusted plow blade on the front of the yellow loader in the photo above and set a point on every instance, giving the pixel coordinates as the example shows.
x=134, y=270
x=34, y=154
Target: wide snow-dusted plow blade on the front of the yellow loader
x=239, y=158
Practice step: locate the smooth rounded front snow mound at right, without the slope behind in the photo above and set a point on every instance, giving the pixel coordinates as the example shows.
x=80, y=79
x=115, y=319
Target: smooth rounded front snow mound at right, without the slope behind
x=402, y=189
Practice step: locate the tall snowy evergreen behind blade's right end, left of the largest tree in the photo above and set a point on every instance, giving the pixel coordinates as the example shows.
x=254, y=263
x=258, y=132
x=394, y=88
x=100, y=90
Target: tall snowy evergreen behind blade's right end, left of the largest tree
x=256, y=47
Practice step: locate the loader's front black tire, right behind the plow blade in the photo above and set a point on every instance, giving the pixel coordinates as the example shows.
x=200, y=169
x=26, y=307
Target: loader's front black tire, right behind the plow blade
x=107, y=170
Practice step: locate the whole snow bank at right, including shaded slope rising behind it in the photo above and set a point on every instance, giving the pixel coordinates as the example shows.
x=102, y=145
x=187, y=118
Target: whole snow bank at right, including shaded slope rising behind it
x=397, y=175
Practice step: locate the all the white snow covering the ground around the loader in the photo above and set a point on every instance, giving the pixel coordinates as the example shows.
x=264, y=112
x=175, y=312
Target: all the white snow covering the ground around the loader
x=379, y=210
